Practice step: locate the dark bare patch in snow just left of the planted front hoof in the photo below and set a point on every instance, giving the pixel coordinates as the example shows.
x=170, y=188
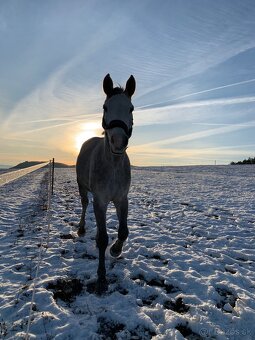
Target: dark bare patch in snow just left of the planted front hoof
x=66, y=289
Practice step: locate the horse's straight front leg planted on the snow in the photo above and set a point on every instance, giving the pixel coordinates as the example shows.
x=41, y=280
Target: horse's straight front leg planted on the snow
x=102, y=243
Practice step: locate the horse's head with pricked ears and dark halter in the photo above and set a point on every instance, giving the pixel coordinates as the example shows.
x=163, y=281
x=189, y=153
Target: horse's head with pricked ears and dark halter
x=118, y=114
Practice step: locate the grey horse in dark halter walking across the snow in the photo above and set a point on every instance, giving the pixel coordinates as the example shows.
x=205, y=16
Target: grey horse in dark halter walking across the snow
x=103, y=168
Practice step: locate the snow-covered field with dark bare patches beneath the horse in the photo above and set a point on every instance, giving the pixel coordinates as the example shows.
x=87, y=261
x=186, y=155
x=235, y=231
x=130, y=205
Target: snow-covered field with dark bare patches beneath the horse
x=187, y=270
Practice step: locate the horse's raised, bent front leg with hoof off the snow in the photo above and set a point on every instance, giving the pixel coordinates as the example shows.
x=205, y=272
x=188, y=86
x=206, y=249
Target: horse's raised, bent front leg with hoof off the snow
x=122, y=212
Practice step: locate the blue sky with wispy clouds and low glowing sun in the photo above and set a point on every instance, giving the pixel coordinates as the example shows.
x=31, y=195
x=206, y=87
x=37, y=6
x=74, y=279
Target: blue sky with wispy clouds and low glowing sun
x=193, y=62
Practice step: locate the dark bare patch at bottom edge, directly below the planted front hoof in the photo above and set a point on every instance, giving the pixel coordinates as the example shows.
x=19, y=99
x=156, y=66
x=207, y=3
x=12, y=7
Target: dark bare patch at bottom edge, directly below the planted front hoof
x=109, y=329
